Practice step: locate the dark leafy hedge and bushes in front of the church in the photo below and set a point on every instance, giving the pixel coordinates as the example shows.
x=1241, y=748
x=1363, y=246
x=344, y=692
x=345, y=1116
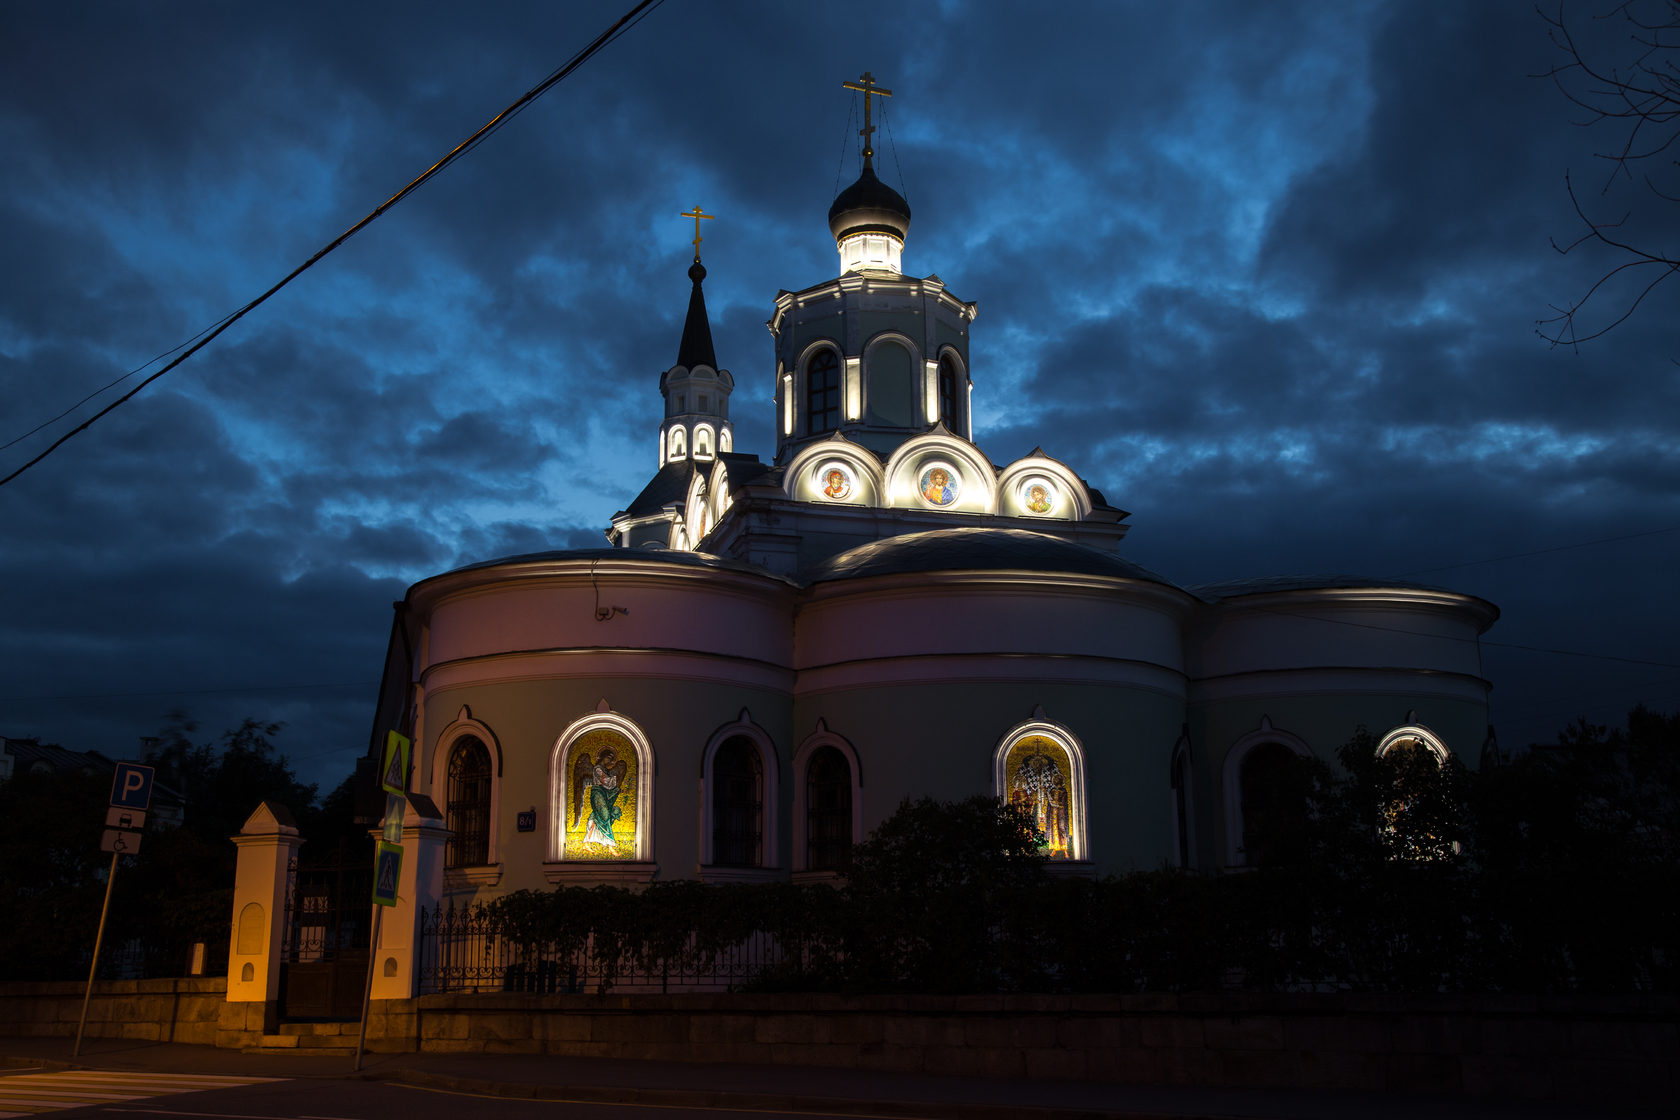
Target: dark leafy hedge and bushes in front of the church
x=1555, y=872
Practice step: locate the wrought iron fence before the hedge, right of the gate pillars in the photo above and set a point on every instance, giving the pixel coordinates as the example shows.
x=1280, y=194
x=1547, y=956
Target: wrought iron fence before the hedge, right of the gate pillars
x=461, y=951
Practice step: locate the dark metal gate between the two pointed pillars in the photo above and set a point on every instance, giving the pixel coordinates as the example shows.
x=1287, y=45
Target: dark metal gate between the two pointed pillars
x=325, y=955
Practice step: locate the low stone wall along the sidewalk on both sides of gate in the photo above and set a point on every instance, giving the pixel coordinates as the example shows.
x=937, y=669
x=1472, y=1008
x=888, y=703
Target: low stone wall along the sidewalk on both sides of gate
x=1617, y=1049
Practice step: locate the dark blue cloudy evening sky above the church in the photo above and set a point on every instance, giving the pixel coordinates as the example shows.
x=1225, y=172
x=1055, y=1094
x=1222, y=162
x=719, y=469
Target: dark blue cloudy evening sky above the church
x=1266, y=275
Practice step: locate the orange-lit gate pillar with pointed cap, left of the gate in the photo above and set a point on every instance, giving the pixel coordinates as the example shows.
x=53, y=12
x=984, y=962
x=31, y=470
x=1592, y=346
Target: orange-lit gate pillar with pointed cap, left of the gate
x=268, y=852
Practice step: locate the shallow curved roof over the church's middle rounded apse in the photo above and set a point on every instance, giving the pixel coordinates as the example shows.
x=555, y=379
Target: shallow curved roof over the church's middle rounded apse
x=977, y=550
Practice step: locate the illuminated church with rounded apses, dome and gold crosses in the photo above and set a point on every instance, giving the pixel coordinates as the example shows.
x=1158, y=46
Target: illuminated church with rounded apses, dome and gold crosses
x=770, y=656
